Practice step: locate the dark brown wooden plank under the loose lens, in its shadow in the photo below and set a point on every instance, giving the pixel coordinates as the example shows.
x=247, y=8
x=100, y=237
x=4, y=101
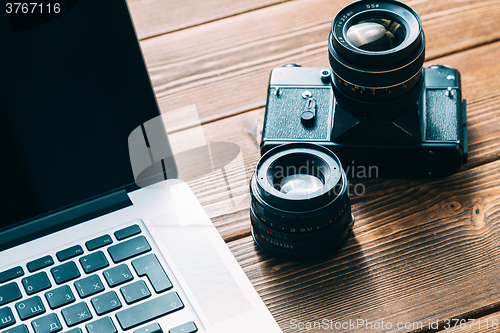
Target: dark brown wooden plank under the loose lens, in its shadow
x=424, y=254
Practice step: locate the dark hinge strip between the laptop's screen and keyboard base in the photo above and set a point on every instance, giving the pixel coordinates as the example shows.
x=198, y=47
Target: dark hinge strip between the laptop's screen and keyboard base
x=63, y=219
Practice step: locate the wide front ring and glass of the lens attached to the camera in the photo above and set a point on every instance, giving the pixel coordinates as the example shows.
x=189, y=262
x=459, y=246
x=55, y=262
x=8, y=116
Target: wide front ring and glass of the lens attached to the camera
x=378, y=35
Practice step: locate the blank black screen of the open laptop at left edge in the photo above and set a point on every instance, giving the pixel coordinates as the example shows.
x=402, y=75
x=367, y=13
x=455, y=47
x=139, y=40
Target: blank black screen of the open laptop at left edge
x=72, y=89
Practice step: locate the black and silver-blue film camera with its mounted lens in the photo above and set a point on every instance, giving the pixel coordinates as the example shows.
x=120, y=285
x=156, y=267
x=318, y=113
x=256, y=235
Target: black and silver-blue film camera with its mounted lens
x=376, y=105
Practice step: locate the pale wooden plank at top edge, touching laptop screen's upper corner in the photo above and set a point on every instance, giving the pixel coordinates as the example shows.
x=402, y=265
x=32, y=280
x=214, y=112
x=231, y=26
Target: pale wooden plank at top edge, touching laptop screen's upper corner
x=157, y=17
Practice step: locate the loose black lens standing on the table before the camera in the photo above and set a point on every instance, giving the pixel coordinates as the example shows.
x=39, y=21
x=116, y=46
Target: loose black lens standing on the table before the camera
x=300, y=207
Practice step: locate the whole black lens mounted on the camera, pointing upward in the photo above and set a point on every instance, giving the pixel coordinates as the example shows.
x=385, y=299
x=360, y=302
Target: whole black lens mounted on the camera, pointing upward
x=376, y=52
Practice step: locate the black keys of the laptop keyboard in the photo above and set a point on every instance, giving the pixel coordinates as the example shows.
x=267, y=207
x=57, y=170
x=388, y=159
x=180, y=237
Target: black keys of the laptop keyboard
x=91, y=290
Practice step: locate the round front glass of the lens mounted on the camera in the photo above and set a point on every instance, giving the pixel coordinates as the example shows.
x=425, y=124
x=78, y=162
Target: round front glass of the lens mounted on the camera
x=376, y=34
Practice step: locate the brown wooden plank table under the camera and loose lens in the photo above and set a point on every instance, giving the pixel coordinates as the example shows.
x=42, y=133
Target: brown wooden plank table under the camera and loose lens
x=422, y=251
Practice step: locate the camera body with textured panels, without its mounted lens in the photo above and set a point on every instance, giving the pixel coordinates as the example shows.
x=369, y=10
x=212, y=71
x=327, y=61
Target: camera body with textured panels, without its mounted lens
x=428, y=138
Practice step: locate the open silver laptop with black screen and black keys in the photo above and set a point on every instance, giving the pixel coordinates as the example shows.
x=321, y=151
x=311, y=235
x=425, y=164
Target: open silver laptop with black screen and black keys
x=93, y=237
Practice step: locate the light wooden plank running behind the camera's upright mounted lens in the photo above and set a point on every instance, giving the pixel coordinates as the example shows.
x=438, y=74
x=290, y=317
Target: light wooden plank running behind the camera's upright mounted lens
x=223, y=67
